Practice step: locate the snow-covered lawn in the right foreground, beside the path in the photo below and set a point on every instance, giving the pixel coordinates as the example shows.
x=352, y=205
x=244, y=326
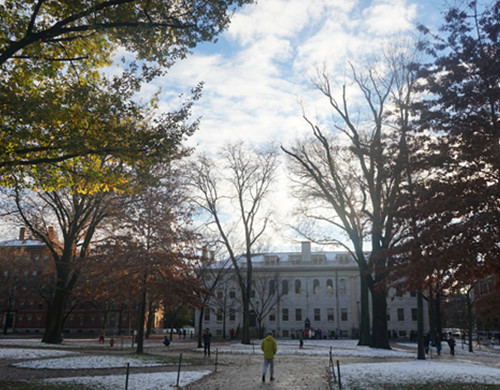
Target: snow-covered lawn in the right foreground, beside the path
x=354, y=376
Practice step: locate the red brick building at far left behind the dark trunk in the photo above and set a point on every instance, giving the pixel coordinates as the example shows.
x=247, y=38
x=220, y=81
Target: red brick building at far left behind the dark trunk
x=28, y=278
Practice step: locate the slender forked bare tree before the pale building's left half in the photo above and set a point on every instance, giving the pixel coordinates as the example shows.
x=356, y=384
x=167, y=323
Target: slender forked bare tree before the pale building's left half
x=238, y=183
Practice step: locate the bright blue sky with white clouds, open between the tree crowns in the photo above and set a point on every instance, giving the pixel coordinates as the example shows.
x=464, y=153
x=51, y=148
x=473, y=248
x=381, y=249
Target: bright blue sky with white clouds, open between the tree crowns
x=258, y=76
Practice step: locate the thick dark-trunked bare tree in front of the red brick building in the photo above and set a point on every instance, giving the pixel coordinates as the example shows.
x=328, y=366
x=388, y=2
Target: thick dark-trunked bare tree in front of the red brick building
x=76, y=217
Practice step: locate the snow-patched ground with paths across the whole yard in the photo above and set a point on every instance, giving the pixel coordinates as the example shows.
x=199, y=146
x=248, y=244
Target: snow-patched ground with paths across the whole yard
x=234, y=366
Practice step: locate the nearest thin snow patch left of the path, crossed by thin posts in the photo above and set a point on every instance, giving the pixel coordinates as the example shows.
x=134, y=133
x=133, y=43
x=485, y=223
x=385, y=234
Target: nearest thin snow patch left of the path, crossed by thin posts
x=150, y=381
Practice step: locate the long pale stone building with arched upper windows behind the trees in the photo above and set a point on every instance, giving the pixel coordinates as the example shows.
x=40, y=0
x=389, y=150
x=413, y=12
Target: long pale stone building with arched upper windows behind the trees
x=295, y=290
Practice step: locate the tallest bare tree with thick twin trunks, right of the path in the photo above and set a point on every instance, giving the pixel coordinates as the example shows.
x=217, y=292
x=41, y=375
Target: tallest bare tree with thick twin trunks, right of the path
x=352, y=175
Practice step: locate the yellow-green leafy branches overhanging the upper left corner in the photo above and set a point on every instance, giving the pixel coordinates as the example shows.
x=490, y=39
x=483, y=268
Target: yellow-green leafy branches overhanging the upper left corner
x=61, y=119
